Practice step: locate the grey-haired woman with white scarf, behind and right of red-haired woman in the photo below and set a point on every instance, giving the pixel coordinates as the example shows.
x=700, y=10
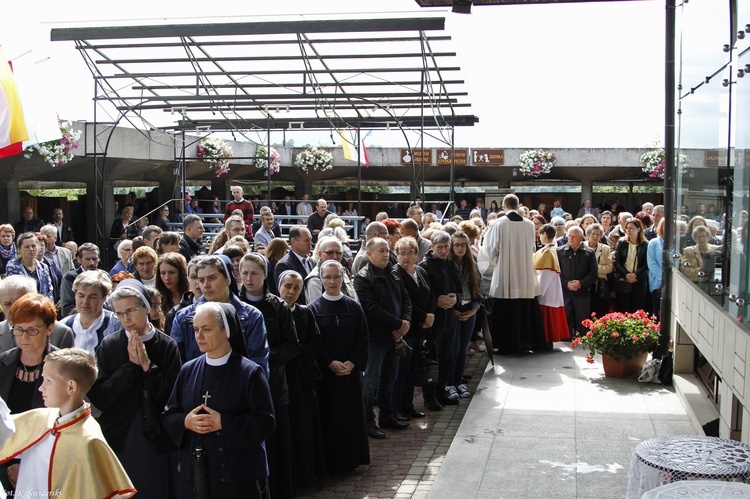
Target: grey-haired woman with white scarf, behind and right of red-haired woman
x=91, y=322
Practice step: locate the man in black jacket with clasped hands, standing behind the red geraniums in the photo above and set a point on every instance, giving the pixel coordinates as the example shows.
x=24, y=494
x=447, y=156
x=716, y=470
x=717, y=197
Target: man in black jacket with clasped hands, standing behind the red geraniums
x=578, y=272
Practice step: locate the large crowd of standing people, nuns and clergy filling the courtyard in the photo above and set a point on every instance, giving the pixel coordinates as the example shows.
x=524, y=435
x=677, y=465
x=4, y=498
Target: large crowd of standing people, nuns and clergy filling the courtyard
x=257, y=365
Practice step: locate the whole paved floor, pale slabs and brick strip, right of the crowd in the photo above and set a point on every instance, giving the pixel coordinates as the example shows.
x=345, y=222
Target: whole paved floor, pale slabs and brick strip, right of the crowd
x=543, y=425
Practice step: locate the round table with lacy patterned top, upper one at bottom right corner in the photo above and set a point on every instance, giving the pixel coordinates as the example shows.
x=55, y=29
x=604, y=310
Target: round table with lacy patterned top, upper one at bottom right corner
x=674, y=458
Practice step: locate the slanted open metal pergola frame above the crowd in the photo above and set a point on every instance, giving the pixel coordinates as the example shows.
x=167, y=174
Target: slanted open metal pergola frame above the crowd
x=256, y=77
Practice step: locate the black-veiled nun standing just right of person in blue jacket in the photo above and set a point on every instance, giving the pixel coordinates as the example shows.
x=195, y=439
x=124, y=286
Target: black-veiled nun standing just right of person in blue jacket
x=283, y=347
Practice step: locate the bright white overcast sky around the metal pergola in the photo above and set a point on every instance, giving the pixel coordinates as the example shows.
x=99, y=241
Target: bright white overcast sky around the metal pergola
x=551, y=76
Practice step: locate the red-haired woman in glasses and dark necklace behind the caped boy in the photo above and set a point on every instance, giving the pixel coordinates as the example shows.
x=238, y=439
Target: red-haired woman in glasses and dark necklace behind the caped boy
x=32, y=318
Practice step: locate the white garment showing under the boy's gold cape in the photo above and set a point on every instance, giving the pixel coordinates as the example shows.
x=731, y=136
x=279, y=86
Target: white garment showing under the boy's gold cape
x=33, y=471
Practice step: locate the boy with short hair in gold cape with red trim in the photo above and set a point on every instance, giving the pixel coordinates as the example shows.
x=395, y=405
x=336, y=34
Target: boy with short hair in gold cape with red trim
x=62, y=450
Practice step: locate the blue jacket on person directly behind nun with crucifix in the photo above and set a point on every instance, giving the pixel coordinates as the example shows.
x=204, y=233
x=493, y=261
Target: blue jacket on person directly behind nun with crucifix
x=253, y=329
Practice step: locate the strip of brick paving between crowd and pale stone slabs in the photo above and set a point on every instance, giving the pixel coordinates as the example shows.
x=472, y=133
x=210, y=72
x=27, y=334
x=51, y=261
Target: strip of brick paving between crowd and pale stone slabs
x=405, y=464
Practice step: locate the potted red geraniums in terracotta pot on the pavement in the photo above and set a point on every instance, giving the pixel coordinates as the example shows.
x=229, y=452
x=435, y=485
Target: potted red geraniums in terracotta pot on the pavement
x=623, y=339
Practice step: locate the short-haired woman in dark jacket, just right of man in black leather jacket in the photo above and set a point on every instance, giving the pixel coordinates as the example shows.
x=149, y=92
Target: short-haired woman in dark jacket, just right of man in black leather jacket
x=417, y=285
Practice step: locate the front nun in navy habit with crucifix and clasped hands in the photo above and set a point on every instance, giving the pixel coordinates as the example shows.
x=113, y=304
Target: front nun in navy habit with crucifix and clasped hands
x=220, y=412
